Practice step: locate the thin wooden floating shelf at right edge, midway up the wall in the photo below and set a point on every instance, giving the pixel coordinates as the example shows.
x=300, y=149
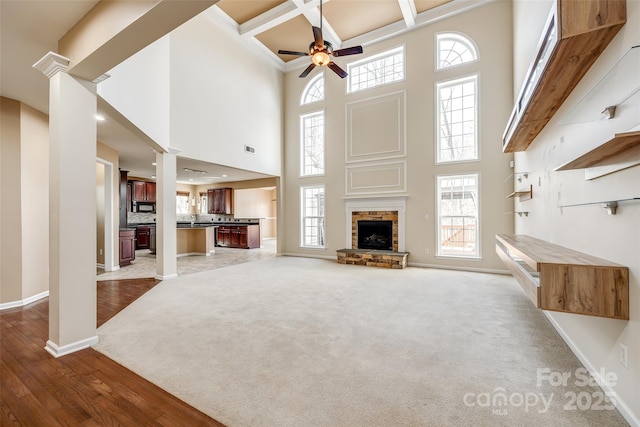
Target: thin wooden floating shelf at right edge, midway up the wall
x=623, y=148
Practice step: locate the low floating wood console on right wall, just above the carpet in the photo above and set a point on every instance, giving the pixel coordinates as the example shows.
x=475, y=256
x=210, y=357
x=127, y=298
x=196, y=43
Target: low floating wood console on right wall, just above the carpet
x=560, y=279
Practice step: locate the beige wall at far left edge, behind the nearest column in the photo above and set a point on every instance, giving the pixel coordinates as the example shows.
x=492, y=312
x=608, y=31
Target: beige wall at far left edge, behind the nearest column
x=24, y=229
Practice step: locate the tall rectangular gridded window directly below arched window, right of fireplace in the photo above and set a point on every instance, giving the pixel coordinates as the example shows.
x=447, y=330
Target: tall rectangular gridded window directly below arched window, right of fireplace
x=457, y=120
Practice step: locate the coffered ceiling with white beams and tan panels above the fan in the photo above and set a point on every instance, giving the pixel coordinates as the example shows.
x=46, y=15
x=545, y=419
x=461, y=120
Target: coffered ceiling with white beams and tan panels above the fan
x=286, y=24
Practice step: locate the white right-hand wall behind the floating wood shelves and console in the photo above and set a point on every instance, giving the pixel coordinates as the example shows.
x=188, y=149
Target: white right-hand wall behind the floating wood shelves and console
x=588, y=228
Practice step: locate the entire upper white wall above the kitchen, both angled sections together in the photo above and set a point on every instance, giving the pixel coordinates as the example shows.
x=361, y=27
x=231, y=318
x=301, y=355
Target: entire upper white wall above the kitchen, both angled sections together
x=202, y=91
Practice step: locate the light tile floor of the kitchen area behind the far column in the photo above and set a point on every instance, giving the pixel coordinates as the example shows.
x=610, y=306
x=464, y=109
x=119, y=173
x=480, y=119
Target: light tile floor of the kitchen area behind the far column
x=145, y=263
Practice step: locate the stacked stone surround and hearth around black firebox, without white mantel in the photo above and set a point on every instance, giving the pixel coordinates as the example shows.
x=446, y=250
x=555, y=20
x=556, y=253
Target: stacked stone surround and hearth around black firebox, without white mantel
x=368, y=257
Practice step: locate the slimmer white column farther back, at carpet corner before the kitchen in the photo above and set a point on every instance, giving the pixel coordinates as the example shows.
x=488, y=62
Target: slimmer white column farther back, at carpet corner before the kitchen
x=166, y=238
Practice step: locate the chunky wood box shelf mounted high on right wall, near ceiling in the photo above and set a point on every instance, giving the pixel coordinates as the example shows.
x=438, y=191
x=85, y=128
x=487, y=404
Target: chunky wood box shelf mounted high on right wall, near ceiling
x=575, y=35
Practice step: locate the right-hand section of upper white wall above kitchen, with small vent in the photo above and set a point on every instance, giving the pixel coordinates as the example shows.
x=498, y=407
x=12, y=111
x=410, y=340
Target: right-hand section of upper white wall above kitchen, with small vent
x=224, y=96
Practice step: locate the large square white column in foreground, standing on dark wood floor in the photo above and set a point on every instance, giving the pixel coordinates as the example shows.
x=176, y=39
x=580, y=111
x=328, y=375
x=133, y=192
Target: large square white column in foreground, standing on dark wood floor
x=72, y=208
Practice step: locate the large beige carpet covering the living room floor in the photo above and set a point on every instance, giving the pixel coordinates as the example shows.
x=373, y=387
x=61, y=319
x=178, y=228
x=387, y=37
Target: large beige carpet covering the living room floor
x=306, y=342
